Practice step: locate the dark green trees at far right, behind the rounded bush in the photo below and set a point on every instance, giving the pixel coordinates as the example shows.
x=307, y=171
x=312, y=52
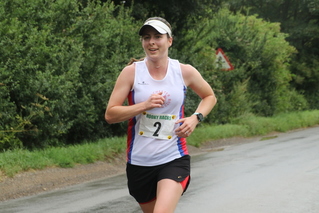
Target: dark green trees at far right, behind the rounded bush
x=299, y=19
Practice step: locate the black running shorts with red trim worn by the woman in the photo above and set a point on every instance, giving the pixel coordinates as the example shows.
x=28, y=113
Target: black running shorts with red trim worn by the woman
x=142, y=180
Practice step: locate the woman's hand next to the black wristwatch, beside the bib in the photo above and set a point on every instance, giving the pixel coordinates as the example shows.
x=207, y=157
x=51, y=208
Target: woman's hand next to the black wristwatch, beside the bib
x=187, y=127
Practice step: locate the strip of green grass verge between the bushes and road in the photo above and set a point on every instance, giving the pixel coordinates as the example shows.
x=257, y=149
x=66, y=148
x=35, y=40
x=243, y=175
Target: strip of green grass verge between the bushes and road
x=15, y=161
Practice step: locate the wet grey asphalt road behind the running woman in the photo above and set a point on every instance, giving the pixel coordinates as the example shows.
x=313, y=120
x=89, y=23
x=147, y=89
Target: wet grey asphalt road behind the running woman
x=279, y=175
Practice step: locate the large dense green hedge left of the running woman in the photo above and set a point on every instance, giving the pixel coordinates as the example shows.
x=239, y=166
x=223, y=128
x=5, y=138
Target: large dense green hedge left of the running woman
x=59, y=63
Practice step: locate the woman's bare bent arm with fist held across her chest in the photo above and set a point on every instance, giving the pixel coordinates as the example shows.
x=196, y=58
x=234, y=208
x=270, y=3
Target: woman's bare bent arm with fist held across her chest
x=115, y=111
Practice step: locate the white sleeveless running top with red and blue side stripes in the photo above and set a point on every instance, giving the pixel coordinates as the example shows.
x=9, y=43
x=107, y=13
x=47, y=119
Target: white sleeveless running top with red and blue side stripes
x=151, y=138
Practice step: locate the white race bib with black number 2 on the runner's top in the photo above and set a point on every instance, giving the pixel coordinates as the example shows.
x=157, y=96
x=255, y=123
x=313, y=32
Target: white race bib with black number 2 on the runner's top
x=157, y=126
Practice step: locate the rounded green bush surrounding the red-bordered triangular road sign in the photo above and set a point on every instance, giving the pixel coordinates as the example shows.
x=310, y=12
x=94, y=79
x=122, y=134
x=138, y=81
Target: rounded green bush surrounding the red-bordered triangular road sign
x=260, y=55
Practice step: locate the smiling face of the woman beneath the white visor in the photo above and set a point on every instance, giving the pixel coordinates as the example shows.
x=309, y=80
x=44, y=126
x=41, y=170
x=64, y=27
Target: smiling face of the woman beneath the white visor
x=155, y=44
